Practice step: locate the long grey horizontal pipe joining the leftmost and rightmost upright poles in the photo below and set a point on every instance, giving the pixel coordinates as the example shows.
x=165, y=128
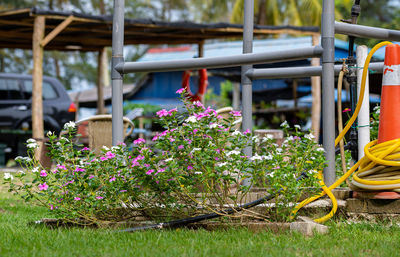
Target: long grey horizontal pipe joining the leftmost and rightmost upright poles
x=220, y=62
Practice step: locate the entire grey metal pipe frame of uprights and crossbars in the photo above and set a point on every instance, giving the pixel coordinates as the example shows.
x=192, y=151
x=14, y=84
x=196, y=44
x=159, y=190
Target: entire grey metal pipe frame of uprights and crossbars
x=327, y=70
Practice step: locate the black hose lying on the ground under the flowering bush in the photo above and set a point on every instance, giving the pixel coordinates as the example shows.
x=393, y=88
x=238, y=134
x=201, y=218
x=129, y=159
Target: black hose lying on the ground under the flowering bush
x=186, y=221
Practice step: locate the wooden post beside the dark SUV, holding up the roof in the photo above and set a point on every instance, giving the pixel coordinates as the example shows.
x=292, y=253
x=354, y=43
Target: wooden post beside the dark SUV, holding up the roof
x=37, y=79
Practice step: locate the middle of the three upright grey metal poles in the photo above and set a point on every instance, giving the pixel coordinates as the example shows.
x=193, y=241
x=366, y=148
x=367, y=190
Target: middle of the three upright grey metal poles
x=248, y=25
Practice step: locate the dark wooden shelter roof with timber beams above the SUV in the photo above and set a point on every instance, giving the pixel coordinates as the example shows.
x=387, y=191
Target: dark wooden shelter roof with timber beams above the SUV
x=76, y=31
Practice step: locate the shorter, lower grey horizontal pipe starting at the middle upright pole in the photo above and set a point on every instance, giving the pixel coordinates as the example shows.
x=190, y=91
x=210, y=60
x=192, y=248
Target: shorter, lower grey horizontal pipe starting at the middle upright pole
x=300, y=72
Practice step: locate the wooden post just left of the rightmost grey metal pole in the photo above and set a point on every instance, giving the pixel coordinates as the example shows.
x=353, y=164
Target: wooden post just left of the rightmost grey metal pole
x=316, y=95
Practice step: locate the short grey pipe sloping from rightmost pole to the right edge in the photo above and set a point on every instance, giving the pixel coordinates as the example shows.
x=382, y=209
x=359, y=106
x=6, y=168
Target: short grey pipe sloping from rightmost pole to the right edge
x=366, y=31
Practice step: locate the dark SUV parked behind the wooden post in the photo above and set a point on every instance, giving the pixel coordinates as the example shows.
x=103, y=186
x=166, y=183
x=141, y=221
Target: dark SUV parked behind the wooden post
x=16, y=113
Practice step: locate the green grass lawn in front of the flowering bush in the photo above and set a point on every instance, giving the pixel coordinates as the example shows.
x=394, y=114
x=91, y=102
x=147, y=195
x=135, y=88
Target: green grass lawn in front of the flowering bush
x=20, y=238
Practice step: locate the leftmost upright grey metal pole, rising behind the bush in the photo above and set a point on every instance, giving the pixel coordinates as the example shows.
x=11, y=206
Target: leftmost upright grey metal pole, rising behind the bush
x=116, y=77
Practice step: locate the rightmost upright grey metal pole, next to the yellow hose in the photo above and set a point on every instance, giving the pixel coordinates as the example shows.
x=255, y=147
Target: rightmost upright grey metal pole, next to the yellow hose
x=328, y=79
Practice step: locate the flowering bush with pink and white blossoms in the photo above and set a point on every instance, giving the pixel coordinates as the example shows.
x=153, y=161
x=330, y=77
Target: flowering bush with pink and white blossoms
x=194, y=166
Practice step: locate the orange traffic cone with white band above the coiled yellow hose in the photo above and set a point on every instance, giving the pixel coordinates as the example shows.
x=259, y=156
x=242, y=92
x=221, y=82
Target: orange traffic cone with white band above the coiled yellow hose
x=389, y=118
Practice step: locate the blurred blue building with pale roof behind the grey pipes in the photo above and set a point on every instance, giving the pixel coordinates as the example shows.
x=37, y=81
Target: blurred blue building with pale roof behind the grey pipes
x=160, y=87
